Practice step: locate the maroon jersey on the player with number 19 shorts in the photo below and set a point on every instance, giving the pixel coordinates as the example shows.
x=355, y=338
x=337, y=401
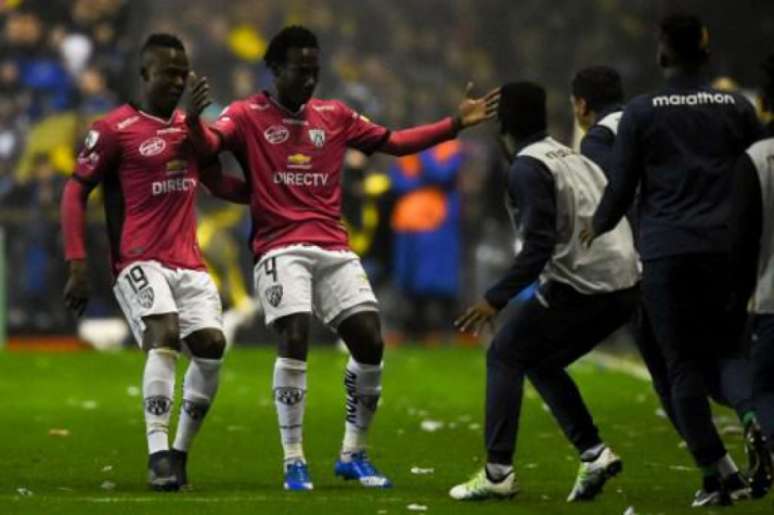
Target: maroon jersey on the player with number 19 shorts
x=149, y=177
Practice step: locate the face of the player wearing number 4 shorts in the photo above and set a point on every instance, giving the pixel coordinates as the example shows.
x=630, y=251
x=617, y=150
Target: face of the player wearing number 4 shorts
x=298, y=77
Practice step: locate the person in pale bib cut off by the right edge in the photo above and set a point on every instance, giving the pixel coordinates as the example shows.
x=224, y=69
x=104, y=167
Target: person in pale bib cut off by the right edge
x=752, y=221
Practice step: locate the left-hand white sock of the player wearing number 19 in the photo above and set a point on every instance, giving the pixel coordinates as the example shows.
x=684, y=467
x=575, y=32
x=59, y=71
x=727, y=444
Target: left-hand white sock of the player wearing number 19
x=158, y=388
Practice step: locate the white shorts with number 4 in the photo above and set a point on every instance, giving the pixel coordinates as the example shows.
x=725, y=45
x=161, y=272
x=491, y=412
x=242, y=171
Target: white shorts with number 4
x=331, y=284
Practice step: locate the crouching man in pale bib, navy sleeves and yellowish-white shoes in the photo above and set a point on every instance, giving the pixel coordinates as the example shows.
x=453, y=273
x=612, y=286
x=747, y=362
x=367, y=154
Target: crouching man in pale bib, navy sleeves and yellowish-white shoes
x=583, y=297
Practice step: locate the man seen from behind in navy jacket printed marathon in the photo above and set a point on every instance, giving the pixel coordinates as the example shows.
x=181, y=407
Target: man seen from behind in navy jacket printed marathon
x=681, y=144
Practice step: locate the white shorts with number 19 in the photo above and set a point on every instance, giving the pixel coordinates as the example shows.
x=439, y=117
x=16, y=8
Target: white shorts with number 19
x=148, y=288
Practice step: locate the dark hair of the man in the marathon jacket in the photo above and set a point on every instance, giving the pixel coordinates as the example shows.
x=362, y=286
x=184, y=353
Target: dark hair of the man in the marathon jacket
x=687, y=37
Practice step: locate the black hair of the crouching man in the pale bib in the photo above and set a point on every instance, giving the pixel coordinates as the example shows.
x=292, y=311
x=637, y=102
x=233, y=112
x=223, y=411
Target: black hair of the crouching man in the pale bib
x=522, y=109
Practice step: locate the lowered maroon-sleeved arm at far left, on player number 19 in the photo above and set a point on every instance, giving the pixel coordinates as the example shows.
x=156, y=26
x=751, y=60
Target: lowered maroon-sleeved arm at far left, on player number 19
x=97, y=156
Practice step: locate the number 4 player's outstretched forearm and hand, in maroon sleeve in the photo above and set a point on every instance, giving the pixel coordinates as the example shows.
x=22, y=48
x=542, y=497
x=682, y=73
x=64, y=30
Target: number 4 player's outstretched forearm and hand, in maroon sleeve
x=471, y=112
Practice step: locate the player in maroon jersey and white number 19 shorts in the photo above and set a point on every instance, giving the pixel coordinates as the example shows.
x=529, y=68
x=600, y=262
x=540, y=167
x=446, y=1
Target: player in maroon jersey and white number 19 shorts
x=142, y=157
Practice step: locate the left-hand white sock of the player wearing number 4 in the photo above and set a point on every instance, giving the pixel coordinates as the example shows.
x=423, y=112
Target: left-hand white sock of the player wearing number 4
x=290, y=400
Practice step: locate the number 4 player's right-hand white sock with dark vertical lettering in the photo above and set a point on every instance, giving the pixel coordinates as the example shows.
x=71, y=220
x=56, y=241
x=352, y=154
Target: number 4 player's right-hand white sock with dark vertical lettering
x=364, y=387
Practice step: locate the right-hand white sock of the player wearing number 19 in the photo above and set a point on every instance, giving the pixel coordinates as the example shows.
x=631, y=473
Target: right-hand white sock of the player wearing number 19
x=199, y=387
